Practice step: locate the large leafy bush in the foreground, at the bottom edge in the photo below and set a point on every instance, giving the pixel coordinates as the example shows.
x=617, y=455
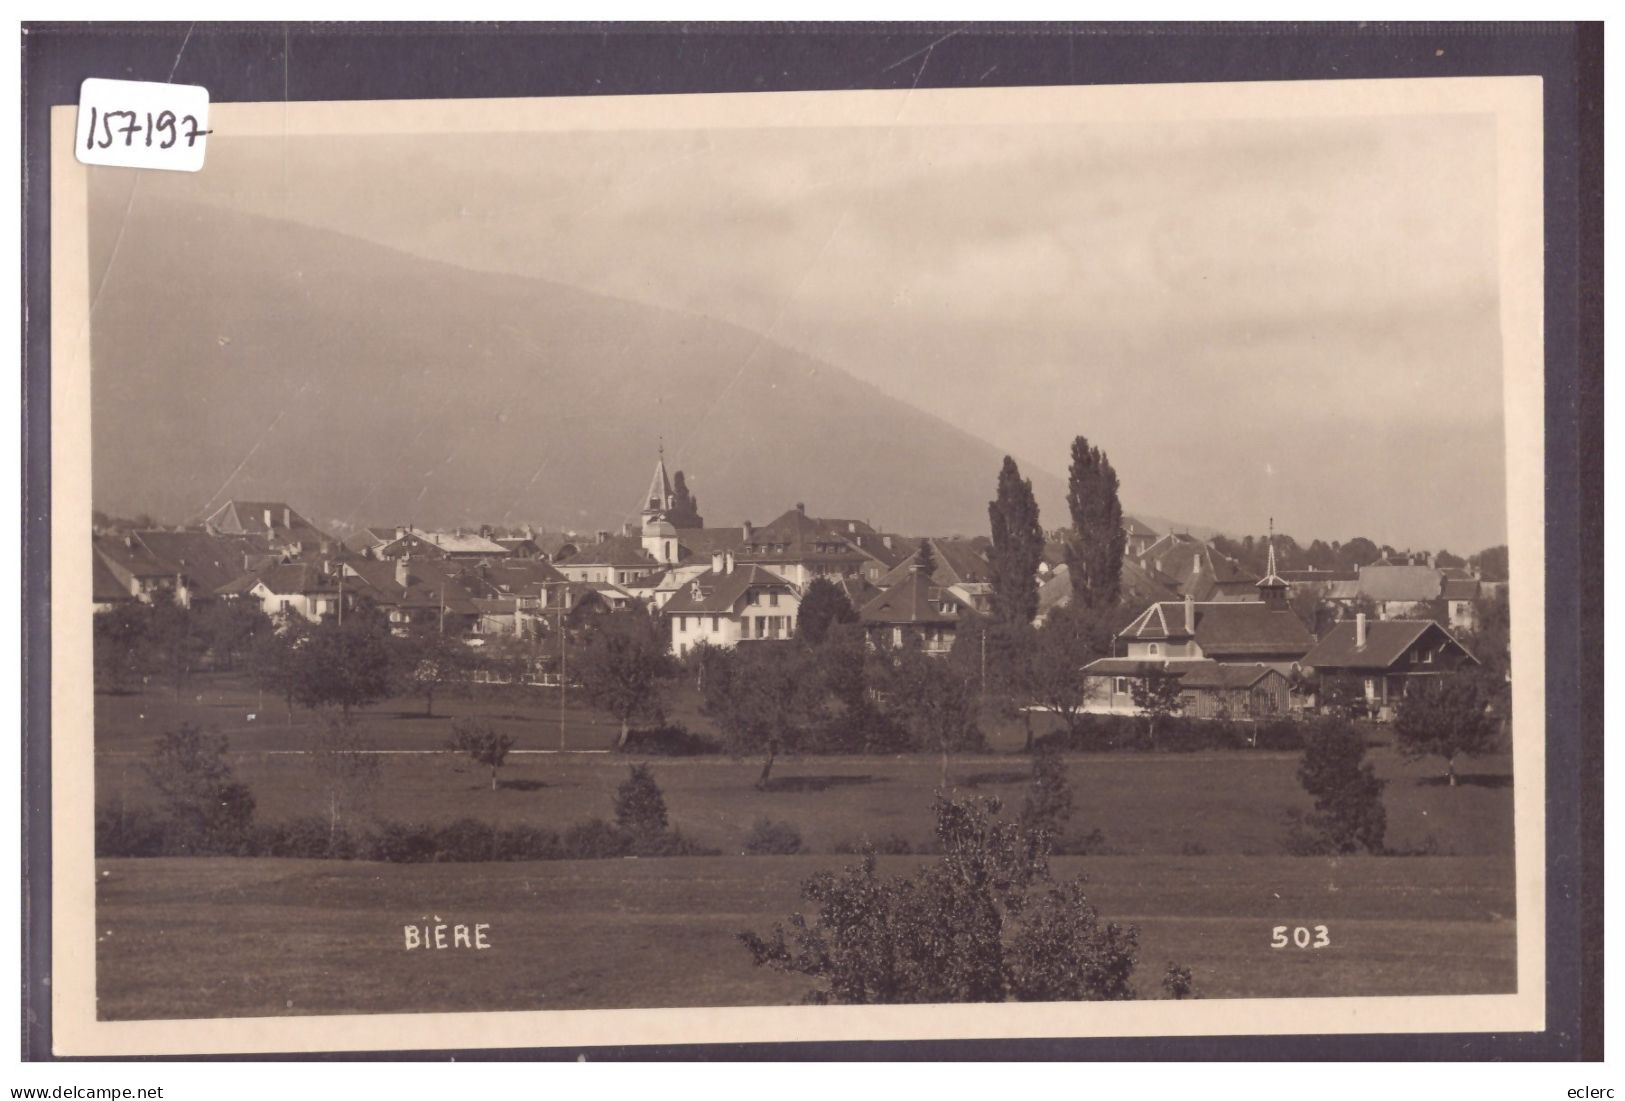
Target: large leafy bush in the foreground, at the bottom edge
x=986, y=923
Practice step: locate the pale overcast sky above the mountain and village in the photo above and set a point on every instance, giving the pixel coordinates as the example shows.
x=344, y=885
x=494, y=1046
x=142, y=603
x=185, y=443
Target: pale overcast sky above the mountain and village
x=1255, y=319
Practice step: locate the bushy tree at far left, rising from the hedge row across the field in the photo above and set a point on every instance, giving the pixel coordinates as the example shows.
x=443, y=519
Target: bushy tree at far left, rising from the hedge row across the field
x=206, y=806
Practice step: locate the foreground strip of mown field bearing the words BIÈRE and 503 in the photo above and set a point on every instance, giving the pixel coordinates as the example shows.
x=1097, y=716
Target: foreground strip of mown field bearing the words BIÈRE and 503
x=223, y=938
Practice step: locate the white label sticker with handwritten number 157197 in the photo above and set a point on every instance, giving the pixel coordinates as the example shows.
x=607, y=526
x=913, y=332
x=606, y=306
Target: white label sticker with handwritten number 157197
x=137, y=124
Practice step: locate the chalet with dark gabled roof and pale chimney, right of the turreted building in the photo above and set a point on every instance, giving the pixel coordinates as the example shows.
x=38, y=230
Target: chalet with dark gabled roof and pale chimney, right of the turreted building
x=1387, y=660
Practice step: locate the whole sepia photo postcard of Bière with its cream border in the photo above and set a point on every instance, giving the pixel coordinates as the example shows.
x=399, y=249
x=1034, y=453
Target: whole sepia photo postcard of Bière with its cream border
x=878, y=564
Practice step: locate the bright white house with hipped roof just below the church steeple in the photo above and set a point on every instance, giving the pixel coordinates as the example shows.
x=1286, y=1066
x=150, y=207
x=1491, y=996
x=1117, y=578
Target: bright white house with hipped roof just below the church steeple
x=732, y=603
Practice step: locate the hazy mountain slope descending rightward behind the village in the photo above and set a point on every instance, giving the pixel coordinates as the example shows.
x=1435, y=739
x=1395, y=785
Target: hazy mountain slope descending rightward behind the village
x=370, y=386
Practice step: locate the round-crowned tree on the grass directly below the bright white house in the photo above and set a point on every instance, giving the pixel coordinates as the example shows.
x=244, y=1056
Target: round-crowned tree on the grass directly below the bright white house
x=765, y=699
